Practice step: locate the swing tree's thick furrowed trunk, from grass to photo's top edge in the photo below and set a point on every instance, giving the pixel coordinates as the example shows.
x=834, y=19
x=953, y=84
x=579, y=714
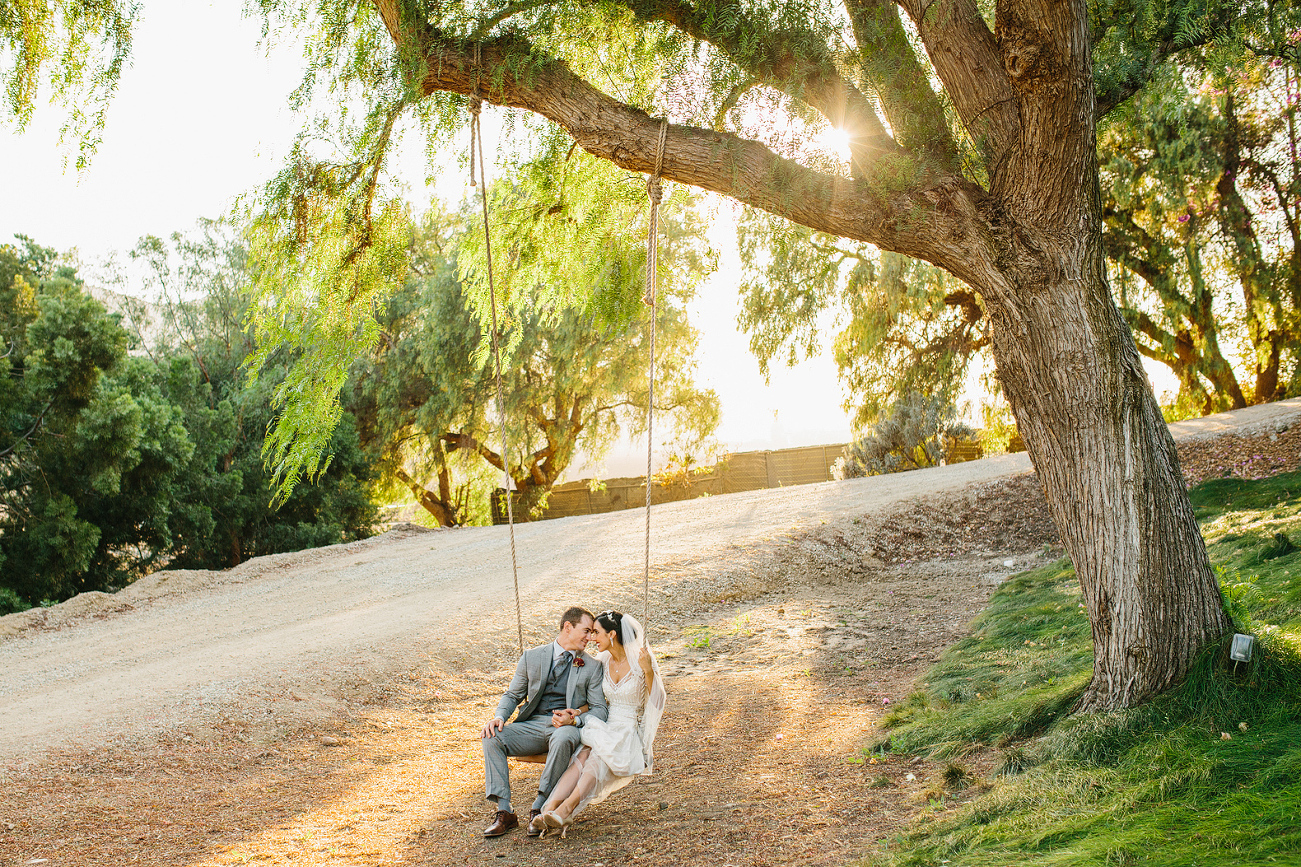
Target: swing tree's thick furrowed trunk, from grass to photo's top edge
x=1073, y=374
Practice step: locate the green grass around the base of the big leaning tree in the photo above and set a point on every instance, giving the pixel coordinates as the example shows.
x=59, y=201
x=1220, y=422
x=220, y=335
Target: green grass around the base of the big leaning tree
x=1207, y=775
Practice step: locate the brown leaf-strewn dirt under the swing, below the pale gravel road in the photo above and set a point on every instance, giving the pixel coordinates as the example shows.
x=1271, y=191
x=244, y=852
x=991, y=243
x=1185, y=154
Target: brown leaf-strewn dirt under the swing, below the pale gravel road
x=776, y=683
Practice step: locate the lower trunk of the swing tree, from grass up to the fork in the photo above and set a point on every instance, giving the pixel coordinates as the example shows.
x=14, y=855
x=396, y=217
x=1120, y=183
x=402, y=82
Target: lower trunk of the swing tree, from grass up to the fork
x=1109, y=468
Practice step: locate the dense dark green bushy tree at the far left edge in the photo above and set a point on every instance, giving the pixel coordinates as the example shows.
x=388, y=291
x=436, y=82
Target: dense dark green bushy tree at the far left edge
x=89, y=447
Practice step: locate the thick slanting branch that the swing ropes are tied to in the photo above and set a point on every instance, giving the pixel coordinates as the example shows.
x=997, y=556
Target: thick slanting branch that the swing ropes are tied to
x=932, y=219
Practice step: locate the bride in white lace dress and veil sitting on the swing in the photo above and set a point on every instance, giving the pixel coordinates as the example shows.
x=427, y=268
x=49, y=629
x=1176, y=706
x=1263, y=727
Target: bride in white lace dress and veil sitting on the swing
x=619, y=749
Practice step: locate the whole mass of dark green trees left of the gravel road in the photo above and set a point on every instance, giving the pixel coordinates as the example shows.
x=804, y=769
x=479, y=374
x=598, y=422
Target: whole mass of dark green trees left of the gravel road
x=116, y=464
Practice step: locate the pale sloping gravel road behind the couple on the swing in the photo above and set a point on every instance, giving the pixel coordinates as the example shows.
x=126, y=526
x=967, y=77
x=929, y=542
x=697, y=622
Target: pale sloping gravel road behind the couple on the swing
x=140, y=663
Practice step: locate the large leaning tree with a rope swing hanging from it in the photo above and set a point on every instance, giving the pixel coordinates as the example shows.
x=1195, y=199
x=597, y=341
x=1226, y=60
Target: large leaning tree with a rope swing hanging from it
x=972, y=146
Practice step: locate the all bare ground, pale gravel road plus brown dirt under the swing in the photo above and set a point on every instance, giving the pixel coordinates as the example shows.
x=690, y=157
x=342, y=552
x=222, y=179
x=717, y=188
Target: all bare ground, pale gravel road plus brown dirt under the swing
x=183, y=722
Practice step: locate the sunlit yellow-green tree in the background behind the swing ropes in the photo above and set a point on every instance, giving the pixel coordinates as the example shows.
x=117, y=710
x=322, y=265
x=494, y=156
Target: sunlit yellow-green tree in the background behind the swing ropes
x=573, y=379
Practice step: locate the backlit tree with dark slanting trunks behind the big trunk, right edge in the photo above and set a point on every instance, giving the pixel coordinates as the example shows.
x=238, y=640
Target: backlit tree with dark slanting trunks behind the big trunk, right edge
x=1203, y=228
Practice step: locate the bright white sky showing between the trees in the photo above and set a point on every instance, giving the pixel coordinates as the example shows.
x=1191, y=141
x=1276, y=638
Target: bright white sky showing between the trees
x=202, y=117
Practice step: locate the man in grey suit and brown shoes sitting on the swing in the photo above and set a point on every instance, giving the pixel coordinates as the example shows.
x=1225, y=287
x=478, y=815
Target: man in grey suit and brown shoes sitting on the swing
x=560, y=688
